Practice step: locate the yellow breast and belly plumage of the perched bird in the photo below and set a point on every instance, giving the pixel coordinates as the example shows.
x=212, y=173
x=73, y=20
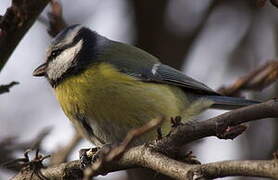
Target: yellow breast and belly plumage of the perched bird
x=114, y=103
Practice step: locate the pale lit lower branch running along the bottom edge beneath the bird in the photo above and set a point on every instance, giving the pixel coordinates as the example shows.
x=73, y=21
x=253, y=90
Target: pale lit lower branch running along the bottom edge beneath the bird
x=143, y=156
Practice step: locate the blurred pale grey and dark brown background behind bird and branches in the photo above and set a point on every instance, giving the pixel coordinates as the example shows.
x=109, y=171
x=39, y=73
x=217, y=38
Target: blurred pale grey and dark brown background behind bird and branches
x=213, y=41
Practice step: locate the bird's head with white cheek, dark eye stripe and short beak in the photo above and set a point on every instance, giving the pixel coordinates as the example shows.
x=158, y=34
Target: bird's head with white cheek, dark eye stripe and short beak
x=70, y=52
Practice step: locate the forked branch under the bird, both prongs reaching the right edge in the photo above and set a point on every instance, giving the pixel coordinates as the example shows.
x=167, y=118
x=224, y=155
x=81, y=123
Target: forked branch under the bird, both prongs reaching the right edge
x=154, y=156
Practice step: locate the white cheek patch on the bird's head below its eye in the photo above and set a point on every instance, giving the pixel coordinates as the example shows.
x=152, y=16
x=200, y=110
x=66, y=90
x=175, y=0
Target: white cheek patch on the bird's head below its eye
x=63, y=62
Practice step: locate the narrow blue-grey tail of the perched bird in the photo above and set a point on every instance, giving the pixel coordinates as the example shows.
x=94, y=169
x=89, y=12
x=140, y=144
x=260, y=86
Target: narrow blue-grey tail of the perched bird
x=228, y=103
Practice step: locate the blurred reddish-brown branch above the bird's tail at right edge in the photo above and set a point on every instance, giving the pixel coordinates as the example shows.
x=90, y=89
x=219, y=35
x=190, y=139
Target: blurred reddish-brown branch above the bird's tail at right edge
x=255, y=80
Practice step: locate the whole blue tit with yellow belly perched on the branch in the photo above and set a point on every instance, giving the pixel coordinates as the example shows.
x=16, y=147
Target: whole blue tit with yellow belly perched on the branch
x=106, y=87
